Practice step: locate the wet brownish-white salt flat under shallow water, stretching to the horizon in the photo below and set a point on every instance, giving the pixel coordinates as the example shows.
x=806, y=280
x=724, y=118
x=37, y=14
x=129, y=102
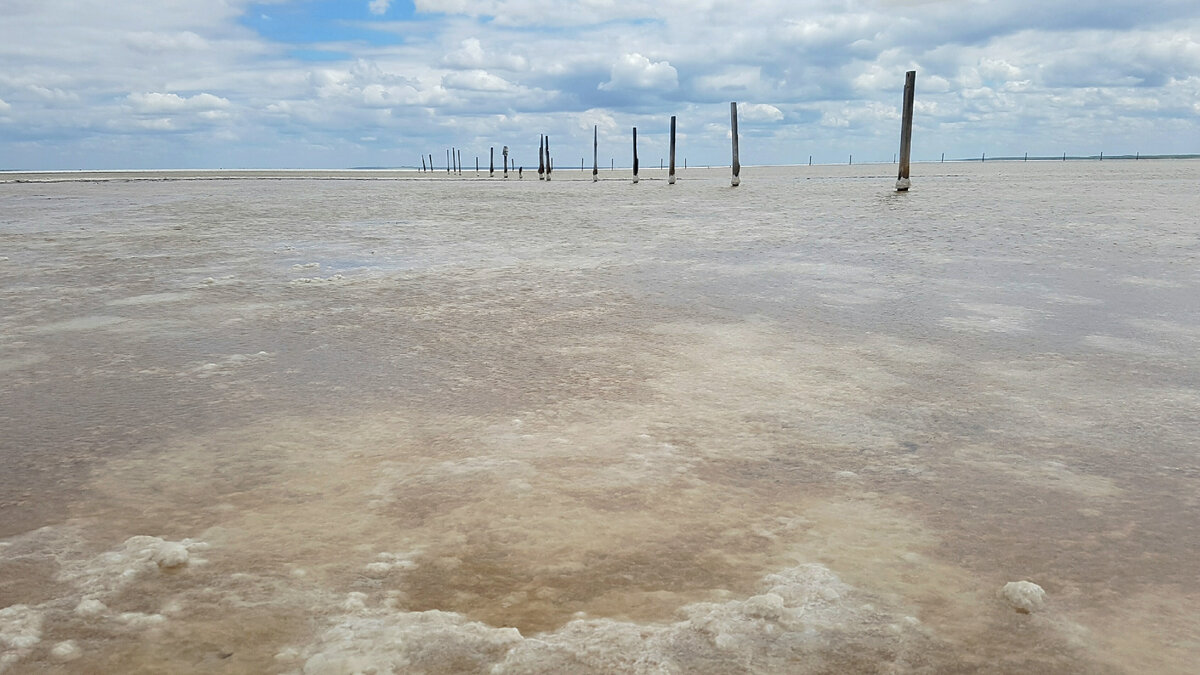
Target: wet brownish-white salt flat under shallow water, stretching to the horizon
x=317, y=426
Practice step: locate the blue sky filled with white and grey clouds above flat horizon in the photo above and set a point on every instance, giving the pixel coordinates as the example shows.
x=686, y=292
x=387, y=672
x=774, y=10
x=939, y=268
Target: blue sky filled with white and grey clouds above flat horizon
x=128, y=85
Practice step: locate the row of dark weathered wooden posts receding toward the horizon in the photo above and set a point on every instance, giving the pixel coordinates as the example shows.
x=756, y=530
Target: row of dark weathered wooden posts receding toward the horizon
x=545, y=165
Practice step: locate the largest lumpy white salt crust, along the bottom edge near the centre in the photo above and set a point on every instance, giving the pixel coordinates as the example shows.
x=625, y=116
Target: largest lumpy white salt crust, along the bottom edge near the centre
x=803, y=618
